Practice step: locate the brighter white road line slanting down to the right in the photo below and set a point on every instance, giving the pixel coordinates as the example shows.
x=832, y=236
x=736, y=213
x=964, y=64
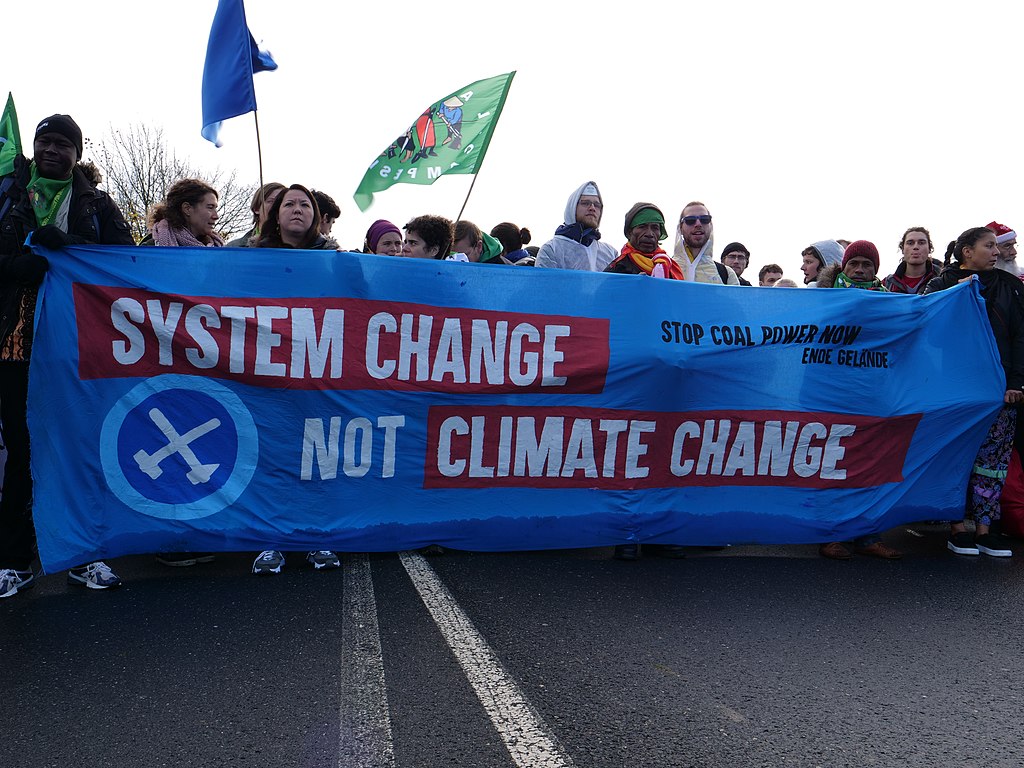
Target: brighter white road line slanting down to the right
x=529, y=741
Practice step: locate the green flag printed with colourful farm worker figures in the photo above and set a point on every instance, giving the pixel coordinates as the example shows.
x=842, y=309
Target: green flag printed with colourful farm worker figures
x=451, y=137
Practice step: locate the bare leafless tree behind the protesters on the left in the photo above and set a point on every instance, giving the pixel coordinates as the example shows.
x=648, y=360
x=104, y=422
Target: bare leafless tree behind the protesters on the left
x=140, y=167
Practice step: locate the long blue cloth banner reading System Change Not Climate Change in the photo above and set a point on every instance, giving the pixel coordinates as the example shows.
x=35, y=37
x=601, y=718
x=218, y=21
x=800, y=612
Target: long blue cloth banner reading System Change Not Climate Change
x=234, y=400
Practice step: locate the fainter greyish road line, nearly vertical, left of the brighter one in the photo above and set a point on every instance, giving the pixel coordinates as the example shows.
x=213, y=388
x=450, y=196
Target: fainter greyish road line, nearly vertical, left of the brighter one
x=365, y=737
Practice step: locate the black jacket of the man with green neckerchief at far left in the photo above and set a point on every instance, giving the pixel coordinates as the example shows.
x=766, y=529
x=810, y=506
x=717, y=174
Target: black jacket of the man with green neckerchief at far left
x=93, y=218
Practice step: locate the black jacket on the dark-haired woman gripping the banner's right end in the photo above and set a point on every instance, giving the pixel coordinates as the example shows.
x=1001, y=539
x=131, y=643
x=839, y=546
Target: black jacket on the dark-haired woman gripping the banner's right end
x=1004, y=296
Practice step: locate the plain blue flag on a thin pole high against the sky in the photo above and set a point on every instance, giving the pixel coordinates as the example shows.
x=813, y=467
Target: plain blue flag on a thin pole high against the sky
x=232, y=58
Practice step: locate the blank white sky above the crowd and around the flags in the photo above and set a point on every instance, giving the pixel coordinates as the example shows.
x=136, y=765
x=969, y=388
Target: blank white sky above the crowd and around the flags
x=793, y=121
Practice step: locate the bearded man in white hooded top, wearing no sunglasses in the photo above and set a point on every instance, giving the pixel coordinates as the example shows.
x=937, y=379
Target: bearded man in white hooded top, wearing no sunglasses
x=577, y=244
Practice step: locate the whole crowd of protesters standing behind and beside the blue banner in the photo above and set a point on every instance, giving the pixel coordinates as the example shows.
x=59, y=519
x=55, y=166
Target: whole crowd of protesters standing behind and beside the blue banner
x=56, y=199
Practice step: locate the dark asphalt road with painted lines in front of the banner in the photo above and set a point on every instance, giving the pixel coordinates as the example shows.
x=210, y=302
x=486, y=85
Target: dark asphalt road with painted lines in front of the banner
x=747, y=657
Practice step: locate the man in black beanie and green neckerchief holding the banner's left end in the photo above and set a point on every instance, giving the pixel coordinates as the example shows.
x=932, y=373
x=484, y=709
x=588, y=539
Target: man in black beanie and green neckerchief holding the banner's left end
x=54, y=200
